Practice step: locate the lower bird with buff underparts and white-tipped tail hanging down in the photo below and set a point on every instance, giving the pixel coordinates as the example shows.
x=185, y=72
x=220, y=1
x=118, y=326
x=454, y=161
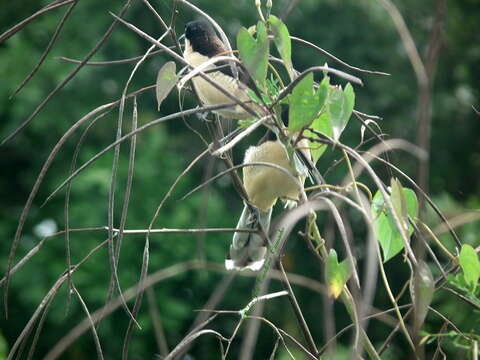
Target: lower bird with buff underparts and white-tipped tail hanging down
x=264, y=186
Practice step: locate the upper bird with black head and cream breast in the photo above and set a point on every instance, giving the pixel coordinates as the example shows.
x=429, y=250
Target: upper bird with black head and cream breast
x=201, y=44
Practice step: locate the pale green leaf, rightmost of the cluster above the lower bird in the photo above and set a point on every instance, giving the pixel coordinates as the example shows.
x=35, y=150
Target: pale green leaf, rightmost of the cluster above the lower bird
x=340, y=107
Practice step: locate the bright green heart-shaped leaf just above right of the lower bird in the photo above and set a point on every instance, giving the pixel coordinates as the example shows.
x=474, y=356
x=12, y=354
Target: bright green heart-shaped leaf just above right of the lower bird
x=305, y=104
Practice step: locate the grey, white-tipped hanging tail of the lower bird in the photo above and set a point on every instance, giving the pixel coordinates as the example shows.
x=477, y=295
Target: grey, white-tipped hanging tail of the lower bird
x=248, y=250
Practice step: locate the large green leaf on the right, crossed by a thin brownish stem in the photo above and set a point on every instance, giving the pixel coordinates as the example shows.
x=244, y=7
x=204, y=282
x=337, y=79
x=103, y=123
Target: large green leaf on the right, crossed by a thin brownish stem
x=385, y=228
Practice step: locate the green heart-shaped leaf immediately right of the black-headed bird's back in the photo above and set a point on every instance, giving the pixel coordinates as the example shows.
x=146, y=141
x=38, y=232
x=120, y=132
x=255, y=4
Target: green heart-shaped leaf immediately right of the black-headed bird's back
x=254, y=53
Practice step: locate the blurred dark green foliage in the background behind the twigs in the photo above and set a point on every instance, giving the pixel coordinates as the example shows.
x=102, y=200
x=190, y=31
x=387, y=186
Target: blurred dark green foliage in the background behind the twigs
x=359, y=32
